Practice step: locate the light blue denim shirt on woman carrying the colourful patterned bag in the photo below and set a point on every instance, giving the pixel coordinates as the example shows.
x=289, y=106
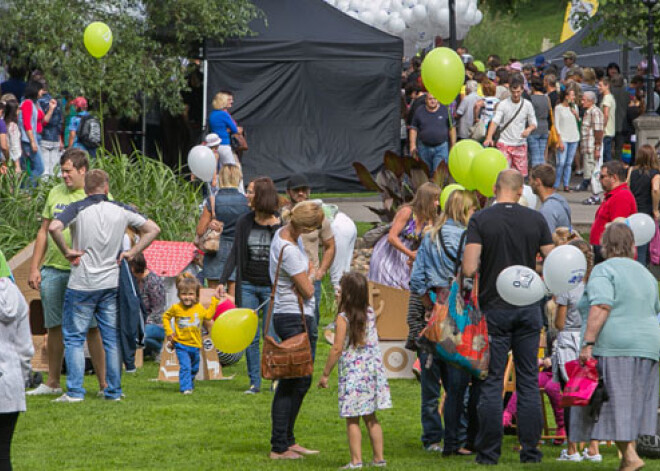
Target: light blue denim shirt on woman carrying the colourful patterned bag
x=431, y=268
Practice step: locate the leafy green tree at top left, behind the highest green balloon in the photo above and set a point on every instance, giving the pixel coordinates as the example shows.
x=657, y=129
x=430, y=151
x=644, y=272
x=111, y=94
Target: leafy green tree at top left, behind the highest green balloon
x=151, y=39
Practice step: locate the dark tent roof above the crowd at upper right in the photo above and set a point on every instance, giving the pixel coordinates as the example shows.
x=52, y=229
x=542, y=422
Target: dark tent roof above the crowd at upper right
x=591, y=56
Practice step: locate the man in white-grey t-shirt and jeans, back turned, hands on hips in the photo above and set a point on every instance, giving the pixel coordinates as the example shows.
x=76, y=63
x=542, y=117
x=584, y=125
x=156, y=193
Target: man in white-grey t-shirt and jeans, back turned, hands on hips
x=97, y=228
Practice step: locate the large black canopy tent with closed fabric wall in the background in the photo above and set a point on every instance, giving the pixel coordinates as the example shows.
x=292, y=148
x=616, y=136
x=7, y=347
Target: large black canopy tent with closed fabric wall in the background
x=314, y=89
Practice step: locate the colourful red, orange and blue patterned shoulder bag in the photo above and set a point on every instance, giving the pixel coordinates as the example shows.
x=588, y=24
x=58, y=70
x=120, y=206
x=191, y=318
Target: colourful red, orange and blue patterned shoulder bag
x=458, y=328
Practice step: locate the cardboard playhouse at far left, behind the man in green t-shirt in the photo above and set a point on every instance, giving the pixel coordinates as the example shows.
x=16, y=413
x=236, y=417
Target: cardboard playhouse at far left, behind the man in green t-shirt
x=20, y=268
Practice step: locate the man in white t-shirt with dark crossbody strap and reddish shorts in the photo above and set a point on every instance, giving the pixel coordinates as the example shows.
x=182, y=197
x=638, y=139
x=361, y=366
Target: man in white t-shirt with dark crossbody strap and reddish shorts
x=516, y=119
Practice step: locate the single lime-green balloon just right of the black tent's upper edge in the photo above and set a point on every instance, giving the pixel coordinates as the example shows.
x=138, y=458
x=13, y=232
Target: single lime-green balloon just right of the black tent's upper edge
x=443, y=74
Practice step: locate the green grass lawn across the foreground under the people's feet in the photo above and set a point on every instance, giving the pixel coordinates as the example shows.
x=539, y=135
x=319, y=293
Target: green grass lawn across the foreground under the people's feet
x=219, y=427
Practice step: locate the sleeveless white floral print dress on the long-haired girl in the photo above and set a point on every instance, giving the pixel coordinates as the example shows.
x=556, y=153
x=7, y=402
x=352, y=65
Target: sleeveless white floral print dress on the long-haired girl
x=363, y=387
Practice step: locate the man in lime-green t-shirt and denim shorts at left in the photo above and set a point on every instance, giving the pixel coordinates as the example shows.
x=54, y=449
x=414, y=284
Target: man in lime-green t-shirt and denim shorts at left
x=53, y=277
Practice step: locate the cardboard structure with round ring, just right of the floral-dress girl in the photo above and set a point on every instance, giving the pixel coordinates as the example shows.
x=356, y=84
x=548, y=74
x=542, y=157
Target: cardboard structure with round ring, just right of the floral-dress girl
x=391, y=308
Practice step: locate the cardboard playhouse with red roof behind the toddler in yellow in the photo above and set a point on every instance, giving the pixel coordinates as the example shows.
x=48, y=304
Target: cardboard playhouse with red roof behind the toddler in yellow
x=168, y=259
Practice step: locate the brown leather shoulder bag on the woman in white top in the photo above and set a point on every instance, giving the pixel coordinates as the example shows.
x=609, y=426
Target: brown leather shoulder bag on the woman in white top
x=291, y=358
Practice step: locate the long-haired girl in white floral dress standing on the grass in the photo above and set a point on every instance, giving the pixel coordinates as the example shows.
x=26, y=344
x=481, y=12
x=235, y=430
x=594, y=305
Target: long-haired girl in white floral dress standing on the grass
x=363, y=388
